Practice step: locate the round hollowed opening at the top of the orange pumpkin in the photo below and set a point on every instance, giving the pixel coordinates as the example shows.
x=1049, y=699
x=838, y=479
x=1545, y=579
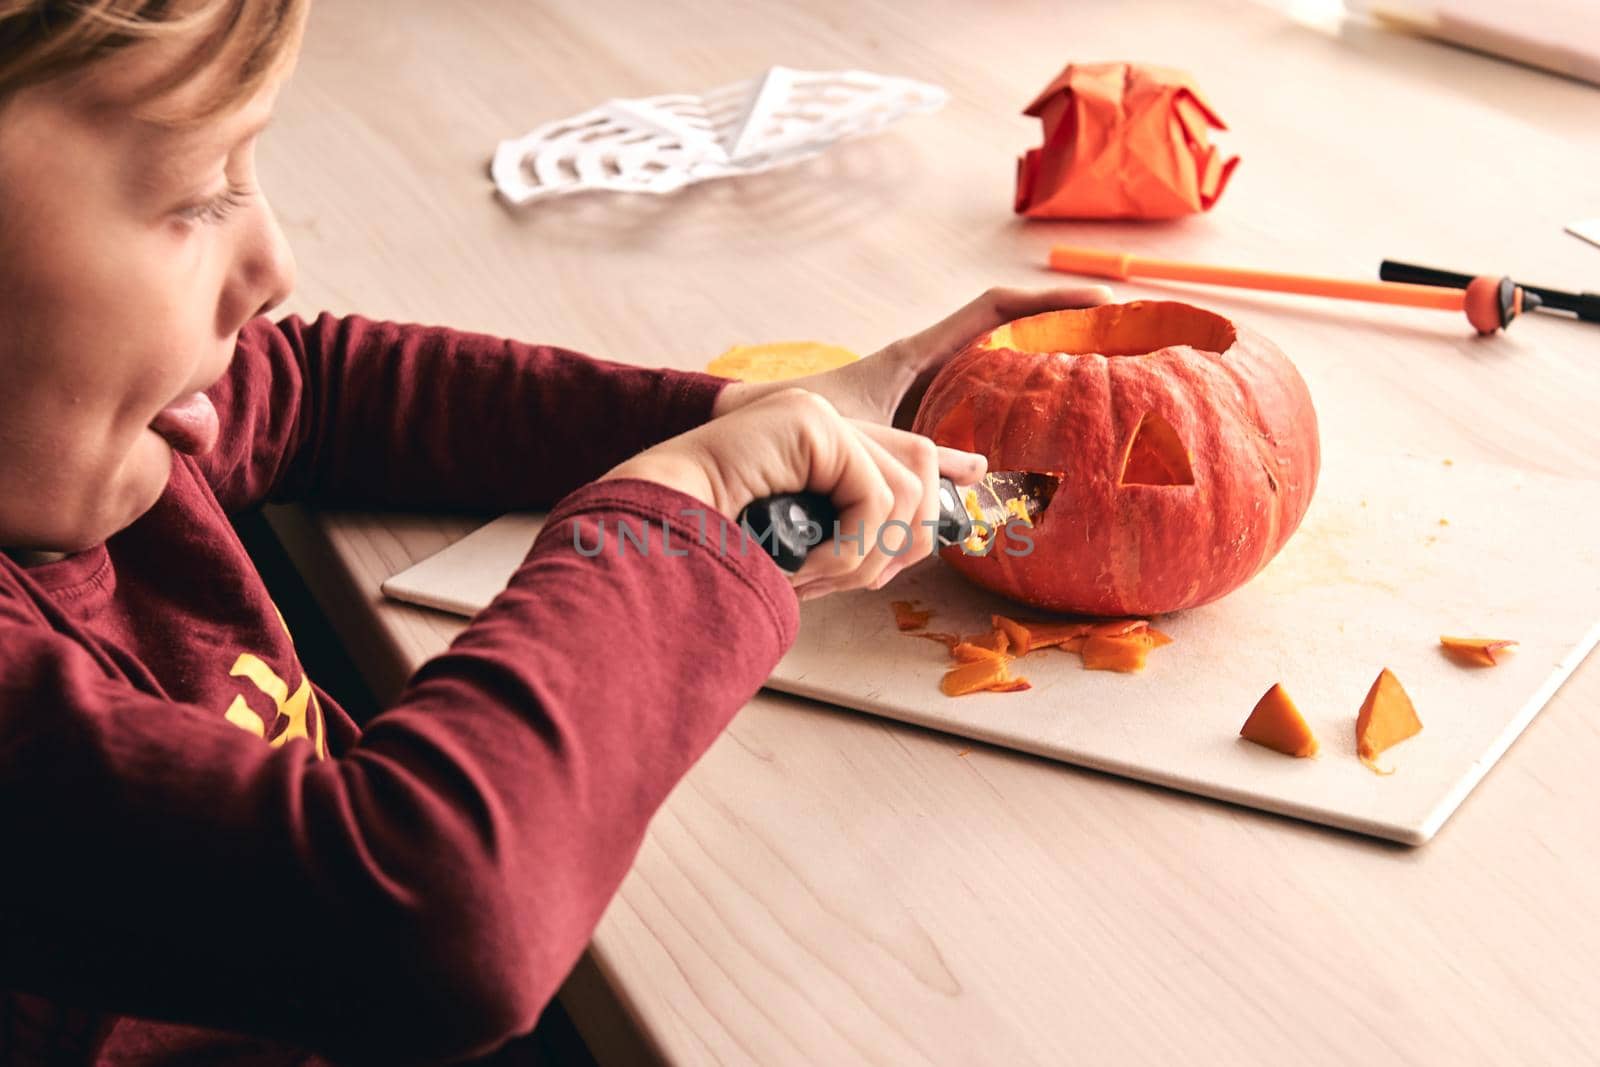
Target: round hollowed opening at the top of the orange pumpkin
x=1135, y=329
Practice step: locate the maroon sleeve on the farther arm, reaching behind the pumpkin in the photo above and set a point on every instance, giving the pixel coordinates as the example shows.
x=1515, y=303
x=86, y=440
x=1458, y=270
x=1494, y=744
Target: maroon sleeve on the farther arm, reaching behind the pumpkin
x=358, y=414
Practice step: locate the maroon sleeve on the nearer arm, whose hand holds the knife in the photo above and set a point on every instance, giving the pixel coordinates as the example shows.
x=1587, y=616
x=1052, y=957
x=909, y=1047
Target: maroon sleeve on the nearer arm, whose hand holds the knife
x=422, y=895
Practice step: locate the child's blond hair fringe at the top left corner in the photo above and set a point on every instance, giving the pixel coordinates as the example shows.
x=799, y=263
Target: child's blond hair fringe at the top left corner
x=47, y=39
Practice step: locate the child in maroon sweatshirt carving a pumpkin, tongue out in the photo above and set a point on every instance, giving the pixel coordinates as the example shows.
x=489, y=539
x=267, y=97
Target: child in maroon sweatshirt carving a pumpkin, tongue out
x=206, y=858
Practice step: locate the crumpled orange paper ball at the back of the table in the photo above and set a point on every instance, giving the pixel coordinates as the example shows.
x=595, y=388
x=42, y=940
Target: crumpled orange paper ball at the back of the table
x=1122, y=142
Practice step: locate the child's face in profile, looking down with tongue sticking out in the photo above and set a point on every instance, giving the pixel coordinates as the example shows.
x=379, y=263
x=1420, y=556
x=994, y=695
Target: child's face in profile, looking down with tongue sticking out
x=130, y=255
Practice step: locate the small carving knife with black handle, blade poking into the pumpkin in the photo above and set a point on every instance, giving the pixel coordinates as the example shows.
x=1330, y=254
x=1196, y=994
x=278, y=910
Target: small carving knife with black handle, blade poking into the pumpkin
x=790, y=526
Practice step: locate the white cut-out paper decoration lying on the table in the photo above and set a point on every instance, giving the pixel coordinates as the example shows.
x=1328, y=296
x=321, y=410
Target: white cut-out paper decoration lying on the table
x=663, y=143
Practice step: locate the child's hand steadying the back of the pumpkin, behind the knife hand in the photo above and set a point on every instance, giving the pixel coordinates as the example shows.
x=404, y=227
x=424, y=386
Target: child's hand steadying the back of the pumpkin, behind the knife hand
x=887, y=386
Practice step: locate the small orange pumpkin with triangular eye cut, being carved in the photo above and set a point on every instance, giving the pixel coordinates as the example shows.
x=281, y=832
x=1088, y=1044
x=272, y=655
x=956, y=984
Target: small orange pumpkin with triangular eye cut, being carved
x=1186, y=450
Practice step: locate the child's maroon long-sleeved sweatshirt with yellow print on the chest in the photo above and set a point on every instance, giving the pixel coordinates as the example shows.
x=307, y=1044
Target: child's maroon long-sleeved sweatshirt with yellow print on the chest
x=194, y=833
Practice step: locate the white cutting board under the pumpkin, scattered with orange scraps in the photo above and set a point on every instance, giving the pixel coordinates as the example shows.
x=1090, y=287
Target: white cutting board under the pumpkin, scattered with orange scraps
x=1370, y=581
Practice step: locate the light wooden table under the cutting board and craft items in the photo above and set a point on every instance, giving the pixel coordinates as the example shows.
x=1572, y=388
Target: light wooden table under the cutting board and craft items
x=833, y=889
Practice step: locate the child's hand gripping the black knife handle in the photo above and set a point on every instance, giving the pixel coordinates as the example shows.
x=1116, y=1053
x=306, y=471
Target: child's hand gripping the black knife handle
x=793, y=441
